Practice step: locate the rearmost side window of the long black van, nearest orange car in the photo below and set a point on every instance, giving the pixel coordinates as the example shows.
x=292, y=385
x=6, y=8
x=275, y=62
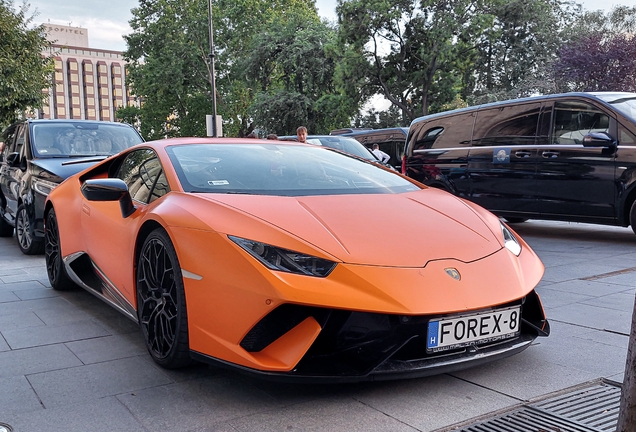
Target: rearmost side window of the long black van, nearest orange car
x=447, y=132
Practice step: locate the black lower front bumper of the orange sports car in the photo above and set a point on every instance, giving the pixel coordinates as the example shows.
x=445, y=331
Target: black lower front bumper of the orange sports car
x=361, y=346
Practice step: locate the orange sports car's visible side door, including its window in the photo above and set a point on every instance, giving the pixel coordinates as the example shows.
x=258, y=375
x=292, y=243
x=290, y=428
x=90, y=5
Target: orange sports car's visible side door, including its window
x=143, y=174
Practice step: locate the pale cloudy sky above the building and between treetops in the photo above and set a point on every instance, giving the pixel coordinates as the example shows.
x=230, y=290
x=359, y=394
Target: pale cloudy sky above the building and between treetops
x=107, y=20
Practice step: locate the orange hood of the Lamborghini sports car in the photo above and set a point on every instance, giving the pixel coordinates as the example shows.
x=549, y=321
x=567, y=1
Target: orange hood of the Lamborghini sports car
x=401, y=230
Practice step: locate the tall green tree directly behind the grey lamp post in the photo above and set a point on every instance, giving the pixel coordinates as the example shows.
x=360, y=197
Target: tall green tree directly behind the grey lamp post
x=169, y=66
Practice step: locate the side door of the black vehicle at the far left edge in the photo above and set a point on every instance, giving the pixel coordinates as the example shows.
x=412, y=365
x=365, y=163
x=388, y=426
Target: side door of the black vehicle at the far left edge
x=12, y=171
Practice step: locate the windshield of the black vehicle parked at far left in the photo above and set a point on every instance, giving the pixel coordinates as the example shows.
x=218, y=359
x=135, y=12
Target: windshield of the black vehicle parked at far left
x=75, y=139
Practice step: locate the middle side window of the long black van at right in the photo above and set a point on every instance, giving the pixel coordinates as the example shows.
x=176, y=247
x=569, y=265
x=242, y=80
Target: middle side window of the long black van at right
x=507, y=125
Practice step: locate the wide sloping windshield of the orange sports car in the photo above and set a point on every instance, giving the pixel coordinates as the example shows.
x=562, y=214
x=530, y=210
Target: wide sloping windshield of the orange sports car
x=285, y=170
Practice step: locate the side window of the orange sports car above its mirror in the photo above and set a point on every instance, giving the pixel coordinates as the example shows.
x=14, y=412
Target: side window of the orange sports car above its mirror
x=143, y=174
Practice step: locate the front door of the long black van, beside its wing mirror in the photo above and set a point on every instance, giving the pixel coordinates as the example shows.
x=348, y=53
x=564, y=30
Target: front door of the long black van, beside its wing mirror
x=574, y=181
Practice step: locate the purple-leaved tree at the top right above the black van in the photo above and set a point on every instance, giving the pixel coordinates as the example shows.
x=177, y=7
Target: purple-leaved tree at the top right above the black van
x=603, y=58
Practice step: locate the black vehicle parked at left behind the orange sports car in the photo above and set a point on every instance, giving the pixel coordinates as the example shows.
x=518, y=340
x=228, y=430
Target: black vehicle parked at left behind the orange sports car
x=39, y=154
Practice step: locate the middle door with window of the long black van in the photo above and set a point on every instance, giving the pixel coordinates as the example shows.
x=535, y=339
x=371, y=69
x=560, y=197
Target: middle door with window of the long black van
x=503, y=156
